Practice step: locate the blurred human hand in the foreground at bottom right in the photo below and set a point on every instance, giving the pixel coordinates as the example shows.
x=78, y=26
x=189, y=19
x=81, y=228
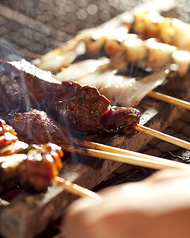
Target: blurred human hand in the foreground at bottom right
x=158, y=207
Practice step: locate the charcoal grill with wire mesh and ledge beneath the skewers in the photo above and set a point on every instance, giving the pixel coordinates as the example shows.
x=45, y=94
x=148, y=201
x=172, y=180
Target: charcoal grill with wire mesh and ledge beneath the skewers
x=33, y=27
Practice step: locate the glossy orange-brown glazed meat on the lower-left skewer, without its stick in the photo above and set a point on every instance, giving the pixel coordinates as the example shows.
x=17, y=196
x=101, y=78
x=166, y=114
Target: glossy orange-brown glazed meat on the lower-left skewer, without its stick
x=35, y=169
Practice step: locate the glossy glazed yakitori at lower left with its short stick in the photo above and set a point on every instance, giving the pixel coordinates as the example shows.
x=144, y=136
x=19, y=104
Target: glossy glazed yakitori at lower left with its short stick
x=35, y=165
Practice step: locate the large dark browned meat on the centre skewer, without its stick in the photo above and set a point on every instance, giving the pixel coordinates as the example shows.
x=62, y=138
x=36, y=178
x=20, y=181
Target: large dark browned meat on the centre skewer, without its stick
x=78, y=108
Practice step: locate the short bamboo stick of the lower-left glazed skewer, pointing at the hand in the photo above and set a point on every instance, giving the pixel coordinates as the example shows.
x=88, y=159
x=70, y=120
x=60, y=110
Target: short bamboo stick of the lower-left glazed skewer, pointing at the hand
x=76, y=189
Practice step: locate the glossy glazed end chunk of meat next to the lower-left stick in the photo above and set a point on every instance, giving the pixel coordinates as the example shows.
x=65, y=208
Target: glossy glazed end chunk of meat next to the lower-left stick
x=40, y=167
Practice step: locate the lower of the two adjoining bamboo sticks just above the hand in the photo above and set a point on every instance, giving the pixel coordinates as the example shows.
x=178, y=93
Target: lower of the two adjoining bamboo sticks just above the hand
x=133, y=158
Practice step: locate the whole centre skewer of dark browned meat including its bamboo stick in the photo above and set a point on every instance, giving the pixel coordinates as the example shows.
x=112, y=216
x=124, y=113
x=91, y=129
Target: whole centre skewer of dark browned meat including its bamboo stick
x=83, y=109
